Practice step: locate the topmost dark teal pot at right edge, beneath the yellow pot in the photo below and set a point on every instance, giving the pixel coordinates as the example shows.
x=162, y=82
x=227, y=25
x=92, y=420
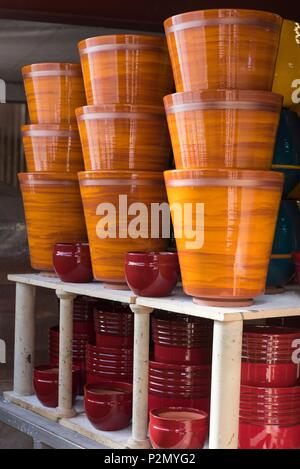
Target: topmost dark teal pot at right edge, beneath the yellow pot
x=287, y=147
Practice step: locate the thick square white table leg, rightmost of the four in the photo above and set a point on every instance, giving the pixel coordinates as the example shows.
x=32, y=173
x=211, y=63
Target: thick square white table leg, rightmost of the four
x=225, y=385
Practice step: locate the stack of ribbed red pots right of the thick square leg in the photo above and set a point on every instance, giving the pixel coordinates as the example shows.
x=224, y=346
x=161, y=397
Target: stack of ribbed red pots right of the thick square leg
x=270, y=397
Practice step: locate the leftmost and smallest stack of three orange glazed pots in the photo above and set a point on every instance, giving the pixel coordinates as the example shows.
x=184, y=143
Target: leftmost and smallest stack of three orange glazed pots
x=50, y=189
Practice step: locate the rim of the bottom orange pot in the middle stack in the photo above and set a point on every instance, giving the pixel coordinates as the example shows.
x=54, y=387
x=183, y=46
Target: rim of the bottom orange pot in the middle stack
x=115, y=176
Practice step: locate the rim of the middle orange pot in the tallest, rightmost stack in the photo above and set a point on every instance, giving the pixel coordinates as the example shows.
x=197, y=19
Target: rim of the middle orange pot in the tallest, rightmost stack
x=222, y=99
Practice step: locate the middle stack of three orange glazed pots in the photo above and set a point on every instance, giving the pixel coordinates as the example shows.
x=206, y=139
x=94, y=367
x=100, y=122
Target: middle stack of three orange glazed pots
x=125, y=145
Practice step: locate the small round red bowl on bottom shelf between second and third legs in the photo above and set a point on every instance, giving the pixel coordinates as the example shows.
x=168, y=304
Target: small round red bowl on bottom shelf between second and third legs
x=108, y=405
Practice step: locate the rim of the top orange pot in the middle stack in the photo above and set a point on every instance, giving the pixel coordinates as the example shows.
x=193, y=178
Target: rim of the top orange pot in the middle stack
x=114, y=41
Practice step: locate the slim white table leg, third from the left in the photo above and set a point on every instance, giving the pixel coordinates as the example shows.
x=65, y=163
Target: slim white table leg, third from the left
x=139, y=437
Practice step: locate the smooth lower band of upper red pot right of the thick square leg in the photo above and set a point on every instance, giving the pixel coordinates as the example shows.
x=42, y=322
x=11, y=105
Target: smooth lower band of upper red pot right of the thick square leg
x=261, y=374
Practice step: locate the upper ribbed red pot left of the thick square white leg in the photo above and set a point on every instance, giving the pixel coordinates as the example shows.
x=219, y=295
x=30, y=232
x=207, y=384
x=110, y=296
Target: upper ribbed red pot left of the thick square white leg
x=181, y=339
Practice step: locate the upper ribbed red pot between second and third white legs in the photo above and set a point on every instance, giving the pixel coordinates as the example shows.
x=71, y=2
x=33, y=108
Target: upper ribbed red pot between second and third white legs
x=114, y=325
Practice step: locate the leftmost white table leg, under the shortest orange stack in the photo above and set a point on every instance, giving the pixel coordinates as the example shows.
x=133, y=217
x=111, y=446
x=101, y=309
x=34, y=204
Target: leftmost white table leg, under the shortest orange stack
x=24, y=339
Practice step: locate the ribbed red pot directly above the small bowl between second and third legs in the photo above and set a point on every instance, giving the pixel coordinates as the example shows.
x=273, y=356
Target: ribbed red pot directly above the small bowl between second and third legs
x=108, y=364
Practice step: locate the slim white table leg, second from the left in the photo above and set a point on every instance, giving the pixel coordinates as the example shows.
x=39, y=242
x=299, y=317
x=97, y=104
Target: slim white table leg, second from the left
x=65, y=408
